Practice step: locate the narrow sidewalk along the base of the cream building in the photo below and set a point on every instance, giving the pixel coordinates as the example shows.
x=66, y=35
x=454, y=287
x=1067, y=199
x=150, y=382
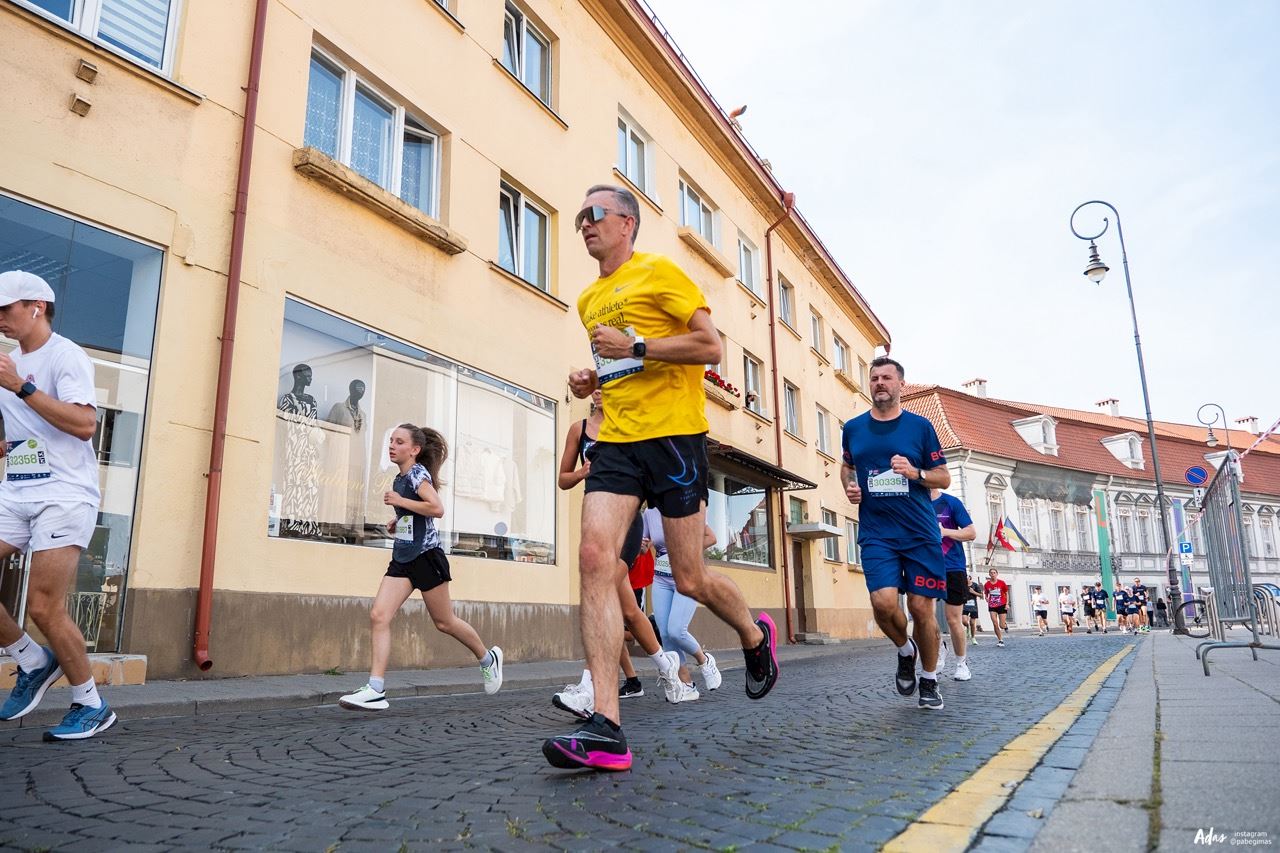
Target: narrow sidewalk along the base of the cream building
x=271, y=692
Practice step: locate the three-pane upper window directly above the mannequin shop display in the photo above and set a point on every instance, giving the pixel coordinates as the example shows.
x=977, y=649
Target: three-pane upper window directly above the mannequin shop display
x=351, y=122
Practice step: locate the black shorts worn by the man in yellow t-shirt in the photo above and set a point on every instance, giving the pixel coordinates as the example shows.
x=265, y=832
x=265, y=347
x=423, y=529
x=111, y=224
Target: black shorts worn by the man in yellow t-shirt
x=666, y=473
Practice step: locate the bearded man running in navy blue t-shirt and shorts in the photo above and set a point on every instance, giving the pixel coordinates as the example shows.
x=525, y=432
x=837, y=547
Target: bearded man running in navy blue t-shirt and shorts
x=892, y=460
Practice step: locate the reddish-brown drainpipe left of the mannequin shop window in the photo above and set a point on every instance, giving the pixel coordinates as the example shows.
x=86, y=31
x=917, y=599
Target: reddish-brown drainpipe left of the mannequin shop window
x=213, y=496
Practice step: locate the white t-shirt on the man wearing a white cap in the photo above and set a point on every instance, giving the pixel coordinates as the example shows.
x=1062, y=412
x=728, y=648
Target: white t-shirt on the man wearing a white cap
x=44, y=464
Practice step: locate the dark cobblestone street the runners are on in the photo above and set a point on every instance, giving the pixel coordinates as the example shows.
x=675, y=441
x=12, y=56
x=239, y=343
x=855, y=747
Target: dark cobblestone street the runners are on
x=834, y=758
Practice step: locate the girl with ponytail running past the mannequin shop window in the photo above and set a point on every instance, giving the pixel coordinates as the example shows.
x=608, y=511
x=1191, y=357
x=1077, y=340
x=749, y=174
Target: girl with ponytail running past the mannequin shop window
x=418, y=563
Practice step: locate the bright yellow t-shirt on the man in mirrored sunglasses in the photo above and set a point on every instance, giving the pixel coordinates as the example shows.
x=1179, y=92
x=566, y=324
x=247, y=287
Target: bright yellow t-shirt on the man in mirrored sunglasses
x=651, y=298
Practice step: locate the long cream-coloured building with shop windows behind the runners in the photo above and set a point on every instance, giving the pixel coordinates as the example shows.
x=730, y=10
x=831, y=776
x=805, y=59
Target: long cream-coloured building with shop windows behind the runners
x=408, y=254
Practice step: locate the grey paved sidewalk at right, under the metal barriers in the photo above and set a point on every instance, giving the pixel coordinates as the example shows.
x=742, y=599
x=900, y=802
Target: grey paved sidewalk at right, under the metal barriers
x=1182, y=763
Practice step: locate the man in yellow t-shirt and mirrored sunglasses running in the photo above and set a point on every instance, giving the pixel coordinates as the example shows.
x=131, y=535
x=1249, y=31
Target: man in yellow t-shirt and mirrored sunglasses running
x=651, y=335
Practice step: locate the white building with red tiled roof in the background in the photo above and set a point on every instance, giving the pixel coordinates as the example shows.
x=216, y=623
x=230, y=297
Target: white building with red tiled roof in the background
x=1043, y=468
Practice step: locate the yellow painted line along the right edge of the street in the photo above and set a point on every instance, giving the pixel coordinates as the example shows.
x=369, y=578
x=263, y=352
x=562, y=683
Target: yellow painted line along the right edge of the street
x=953, y=823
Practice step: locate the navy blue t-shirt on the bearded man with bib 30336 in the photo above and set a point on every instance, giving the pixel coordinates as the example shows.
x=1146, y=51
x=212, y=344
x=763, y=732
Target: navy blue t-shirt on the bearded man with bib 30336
x=894, y=512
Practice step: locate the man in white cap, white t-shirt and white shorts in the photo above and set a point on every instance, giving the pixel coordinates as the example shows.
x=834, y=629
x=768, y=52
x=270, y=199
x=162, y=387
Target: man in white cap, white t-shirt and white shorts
x=48, y=500
